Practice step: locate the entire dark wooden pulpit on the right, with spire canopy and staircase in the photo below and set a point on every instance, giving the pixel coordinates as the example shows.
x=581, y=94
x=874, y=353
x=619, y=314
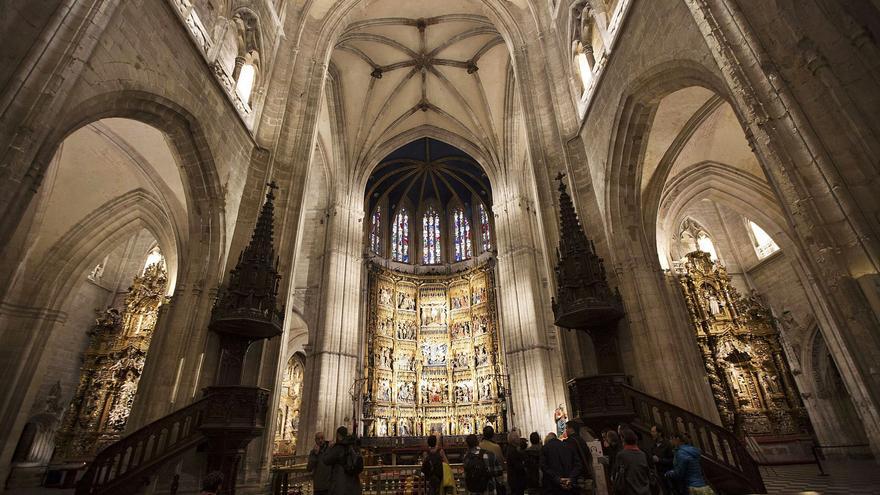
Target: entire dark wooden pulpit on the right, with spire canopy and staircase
x=585, y=302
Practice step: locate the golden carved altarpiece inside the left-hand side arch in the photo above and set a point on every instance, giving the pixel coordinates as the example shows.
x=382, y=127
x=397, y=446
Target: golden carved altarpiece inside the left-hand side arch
x=111, y=369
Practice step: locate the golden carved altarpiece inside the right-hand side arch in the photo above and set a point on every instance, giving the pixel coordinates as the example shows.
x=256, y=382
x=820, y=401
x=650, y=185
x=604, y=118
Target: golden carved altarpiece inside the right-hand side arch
x=740, y=343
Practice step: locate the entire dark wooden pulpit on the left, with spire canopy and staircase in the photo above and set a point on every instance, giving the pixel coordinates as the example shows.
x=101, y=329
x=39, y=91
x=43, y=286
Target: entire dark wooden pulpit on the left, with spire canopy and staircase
x=221, y=424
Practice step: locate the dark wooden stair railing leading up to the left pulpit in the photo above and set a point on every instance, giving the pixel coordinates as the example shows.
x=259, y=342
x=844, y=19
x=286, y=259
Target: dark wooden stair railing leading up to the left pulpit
x=136, y=454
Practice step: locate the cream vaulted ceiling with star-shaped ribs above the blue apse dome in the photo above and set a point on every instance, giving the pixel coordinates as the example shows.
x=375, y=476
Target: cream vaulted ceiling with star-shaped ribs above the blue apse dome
x=397, y=68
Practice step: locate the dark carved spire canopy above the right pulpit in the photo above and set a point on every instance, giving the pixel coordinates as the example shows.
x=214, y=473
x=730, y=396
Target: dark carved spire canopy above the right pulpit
x=583, y=298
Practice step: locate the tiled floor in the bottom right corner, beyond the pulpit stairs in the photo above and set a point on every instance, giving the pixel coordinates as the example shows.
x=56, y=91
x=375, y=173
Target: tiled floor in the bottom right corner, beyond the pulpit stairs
x=844, y=478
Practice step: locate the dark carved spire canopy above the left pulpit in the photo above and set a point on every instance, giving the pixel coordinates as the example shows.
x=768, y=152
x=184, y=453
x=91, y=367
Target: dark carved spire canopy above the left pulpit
x=249, y=305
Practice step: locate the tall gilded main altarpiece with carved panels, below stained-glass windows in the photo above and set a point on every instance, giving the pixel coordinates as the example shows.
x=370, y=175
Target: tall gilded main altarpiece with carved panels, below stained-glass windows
x=433, y=361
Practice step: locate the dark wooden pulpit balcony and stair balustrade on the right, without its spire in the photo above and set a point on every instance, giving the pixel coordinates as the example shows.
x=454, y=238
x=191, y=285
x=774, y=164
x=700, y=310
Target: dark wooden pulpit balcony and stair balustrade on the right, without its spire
x=608, y=400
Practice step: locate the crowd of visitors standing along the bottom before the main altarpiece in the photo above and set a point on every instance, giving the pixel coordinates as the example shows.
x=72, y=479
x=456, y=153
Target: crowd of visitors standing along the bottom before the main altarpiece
x=556, y=466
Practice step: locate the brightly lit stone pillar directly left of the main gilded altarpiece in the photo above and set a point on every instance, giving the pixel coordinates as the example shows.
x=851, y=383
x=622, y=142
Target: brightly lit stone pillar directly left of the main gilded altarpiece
x=334, y=352
